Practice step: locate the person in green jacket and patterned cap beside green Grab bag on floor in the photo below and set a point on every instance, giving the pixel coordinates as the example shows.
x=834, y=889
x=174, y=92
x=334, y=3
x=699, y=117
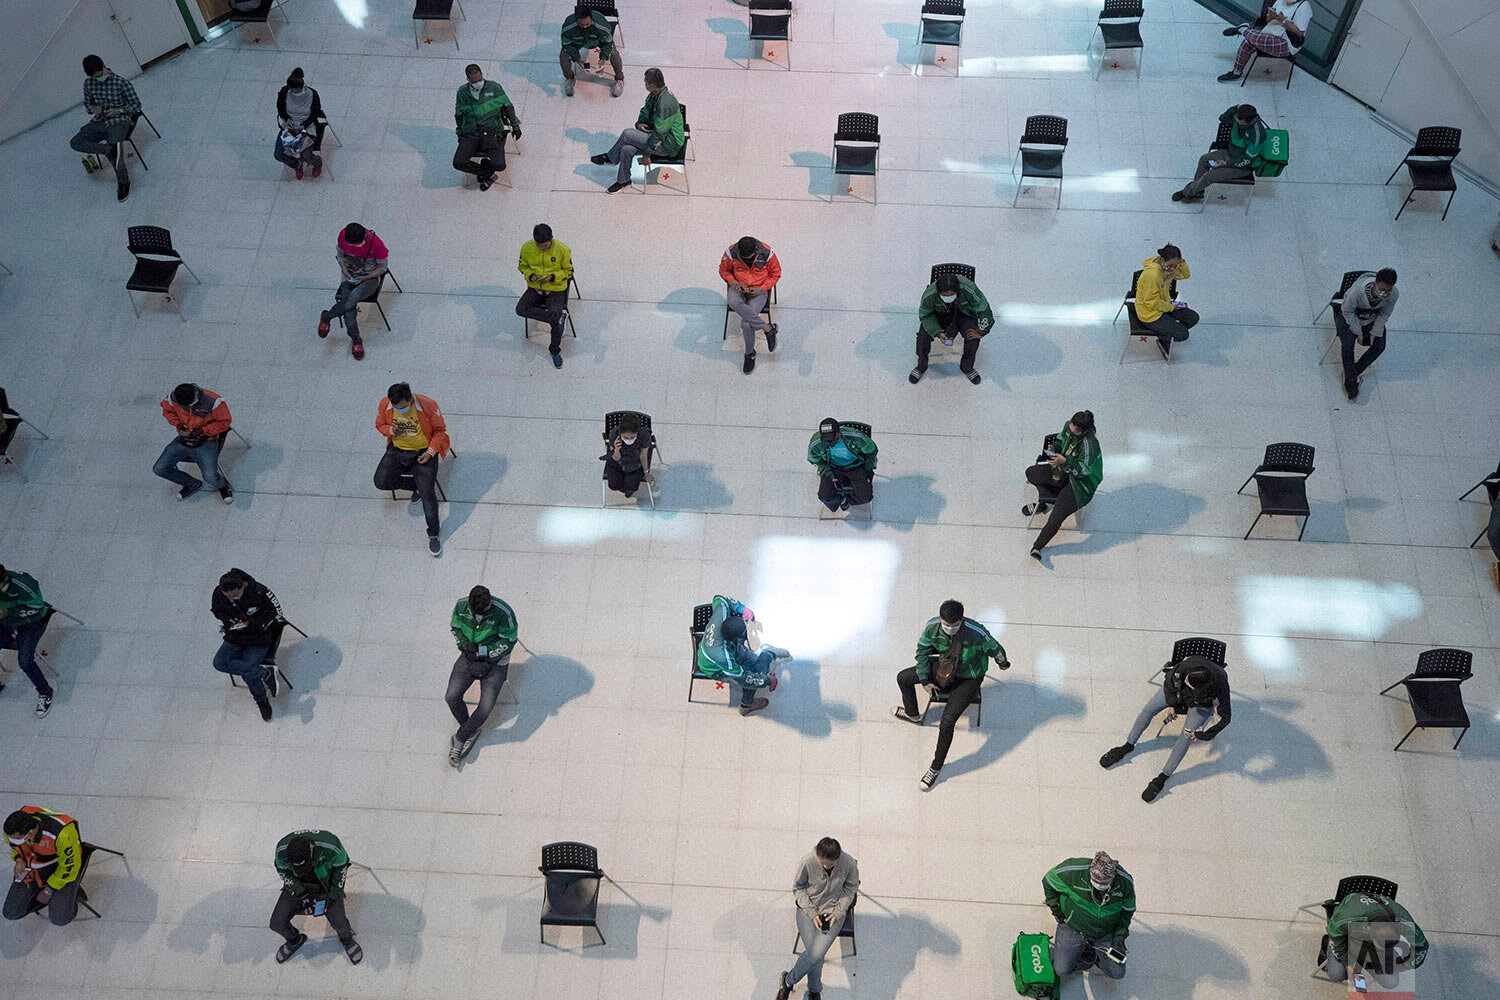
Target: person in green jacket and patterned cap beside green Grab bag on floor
x=1093, y=903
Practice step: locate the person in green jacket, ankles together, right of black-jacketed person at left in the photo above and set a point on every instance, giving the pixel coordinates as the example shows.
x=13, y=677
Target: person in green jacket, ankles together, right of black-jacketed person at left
x=485, y=632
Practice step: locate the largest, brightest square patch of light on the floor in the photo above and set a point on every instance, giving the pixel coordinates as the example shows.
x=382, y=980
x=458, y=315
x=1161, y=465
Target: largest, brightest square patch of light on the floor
x=818, y=594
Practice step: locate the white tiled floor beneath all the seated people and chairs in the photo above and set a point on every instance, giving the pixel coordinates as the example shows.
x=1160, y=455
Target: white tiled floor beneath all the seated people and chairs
x=700, y=815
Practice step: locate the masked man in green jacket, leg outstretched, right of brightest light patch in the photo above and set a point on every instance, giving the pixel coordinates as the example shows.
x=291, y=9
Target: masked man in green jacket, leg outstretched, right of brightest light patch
x=953, y=657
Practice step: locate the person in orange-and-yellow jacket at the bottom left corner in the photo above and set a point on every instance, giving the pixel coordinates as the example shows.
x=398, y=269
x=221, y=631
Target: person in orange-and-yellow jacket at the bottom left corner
x=49, y=857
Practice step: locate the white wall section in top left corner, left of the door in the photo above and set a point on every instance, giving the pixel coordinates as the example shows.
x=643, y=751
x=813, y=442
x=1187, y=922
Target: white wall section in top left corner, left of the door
x=43, y=44
